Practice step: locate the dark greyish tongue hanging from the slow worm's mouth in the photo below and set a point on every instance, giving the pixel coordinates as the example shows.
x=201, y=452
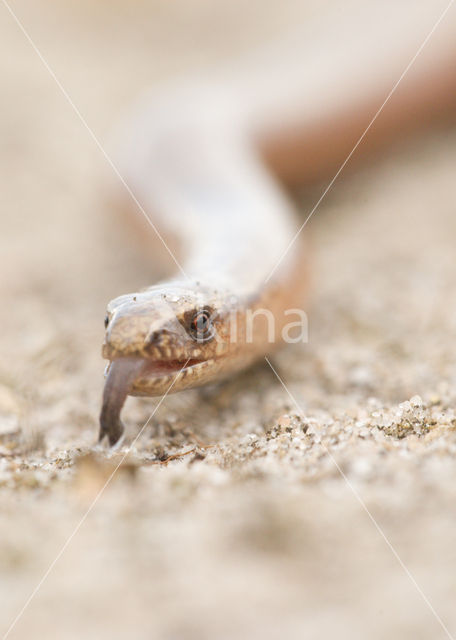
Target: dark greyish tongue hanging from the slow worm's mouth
x=121, y=375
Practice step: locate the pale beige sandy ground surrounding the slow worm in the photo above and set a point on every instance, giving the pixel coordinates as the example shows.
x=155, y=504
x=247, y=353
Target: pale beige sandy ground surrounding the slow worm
x=333, y=521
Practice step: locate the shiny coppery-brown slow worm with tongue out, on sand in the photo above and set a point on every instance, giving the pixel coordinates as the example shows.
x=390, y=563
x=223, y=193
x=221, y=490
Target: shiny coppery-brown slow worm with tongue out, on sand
x=208, y=160
